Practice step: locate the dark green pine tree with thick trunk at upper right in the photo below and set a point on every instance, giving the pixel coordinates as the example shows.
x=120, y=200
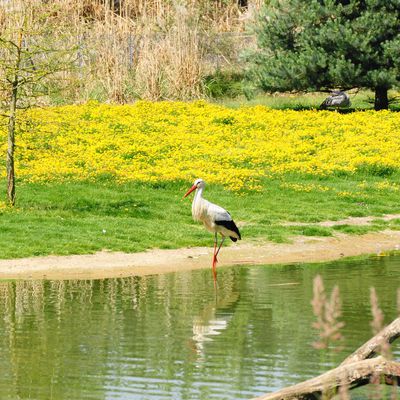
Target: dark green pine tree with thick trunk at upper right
x=326, y=44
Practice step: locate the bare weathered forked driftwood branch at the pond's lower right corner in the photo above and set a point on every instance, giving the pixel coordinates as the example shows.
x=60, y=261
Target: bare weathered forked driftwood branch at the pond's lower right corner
x=356, y=370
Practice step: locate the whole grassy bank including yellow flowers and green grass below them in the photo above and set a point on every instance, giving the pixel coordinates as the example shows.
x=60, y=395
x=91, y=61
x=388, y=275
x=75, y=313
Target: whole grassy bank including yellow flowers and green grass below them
x=100, y=176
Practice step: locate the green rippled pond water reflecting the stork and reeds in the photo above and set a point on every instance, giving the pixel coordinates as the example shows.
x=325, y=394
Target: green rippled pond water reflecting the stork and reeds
x=168, y=337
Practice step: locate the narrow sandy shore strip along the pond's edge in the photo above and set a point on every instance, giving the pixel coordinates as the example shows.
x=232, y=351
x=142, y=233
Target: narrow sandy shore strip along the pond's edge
x=115, y=264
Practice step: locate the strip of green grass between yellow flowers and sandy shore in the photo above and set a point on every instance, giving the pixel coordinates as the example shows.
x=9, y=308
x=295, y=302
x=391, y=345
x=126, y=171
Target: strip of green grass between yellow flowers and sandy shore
x=78, y=218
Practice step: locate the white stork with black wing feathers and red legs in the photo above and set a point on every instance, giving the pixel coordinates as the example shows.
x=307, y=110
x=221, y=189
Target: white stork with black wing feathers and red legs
x=215, y=219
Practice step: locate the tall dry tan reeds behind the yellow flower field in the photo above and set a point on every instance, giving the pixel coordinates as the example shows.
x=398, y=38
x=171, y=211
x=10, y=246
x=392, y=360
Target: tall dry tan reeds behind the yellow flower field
x=152, y=49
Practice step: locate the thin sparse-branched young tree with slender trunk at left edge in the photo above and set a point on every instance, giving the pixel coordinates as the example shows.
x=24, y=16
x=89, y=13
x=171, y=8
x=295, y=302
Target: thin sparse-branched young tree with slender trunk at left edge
x=33, y=49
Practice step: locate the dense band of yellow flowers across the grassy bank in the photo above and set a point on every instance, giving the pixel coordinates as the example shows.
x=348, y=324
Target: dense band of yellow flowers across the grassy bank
x=174, y=140
